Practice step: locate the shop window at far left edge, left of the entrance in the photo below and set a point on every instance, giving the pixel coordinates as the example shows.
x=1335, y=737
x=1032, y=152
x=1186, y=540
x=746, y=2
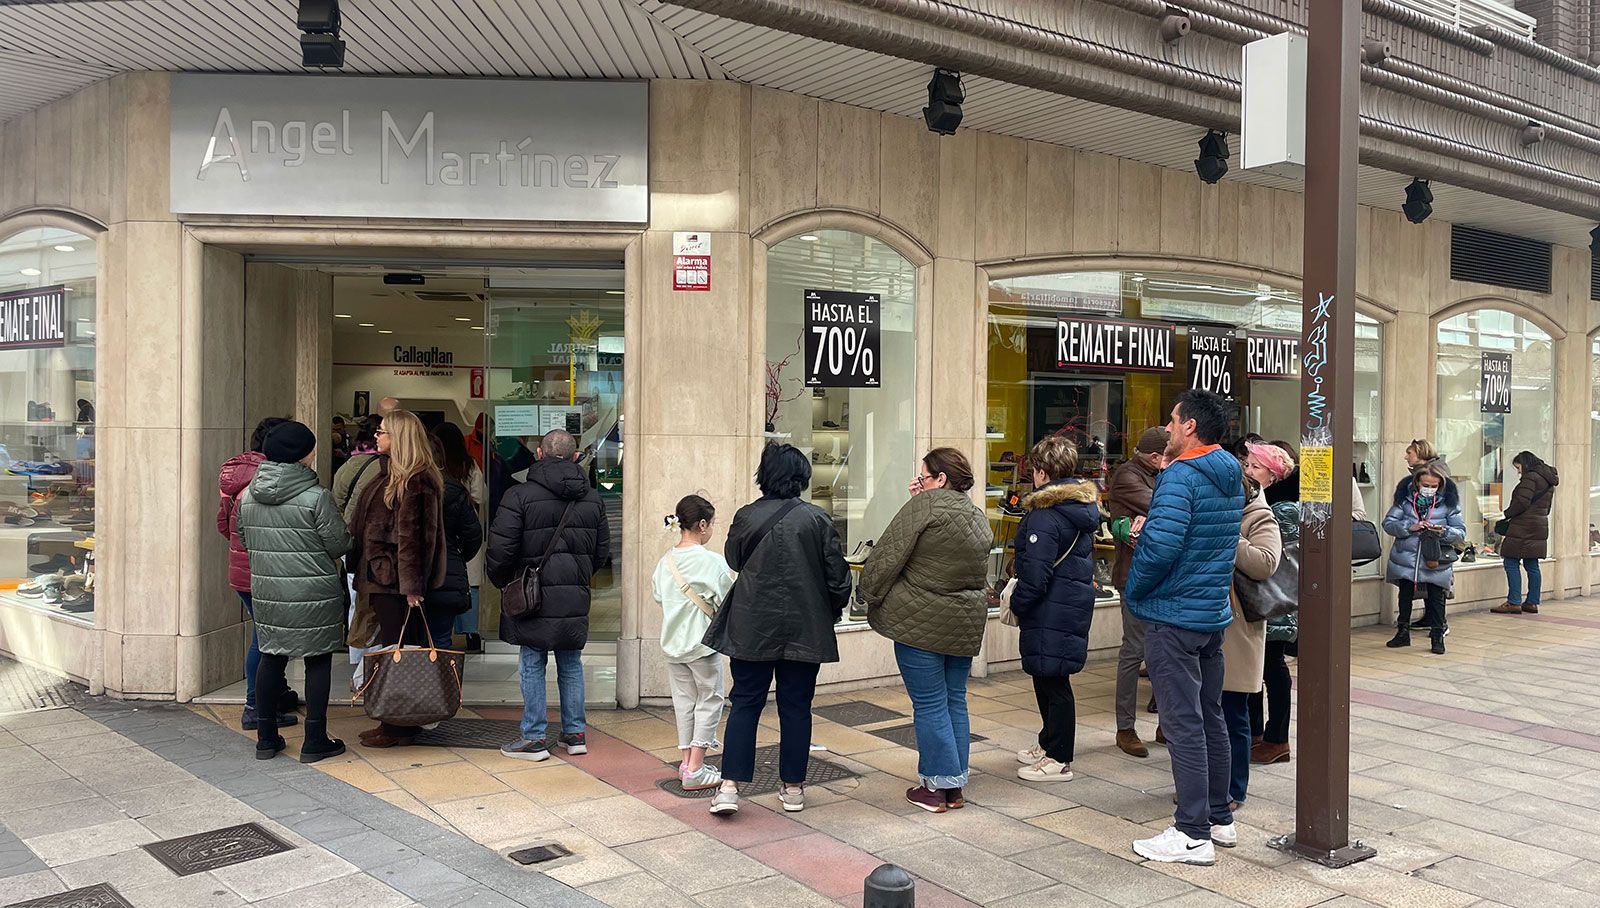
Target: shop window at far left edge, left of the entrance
x=47, y=421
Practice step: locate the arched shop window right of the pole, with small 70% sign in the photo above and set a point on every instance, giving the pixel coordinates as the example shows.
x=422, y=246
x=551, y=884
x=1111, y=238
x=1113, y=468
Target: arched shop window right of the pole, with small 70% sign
x=1487, y=420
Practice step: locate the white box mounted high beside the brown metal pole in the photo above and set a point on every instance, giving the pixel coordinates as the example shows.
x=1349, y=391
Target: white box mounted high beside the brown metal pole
x=1274, y=106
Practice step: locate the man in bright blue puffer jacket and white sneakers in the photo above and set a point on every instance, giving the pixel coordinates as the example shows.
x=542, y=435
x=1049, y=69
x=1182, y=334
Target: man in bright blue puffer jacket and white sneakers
x=1183, y=570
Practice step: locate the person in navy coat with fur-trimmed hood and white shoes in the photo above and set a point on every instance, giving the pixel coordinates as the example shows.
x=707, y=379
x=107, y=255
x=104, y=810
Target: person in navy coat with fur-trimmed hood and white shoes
x=1054, y=600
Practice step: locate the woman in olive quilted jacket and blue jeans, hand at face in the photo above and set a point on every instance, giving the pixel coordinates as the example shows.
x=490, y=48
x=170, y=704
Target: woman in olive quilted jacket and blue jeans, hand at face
x=924, y=586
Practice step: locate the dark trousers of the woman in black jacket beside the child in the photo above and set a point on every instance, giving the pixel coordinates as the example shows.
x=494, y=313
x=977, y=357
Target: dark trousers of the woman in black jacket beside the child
x=748, y=699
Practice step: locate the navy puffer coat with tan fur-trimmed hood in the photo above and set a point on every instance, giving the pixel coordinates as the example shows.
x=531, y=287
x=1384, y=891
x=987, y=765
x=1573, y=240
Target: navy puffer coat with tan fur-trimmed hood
x=1055, y=603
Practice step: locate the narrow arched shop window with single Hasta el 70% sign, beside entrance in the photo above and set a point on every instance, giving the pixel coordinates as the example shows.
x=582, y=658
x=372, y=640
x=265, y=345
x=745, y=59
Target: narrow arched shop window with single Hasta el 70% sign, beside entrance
x=842, y=375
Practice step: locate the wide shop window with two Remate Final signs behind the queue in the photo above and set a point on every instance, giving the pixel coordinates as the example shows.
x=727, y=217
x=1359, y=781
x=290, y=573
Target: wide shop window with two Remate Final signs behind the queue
x=1102, y=356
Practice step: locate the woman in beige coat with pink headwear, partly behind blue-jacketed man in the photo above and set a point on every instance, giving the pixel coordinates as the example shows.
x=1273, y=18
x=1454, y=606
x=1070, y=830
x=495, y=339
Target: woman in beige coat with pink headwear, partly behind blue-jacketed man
x=1246, y=642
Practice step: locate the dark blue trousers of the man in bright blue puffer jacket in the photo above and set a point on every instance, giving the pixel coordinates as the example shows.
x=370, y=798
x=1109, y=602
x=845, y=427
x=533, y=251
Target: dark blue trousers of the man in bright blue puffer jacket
x=1186, y=671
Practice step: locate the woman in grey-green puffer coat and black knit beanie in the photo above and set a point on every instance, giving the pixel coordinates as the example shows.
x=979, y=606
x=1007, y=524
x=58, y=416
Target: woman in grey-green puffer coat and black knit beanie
x=295, y=538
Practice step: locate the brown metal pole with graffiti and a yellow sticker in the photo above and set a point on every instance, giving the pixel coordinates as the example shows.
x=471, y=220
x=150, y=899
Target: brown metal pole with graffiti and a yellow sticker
x=1322, y=806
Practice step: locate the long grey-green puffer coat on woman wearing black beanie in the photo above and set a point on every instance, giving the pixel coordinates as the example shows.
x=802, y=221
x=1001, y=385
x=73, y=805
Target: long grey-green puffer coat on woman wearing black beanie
x=294, y=535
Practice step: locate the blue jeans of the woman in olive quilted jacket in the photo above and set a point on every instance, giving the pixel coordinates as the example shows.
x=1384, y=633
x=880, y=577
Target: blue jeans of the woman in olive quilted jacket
x=938, y=698
